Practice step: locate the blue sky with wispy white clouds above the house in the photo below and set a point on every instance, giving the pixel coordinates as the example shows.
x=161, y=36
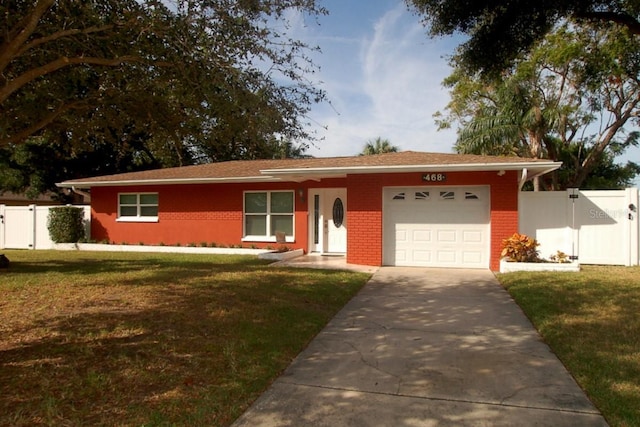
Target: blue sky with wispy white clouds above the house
x=383, y=77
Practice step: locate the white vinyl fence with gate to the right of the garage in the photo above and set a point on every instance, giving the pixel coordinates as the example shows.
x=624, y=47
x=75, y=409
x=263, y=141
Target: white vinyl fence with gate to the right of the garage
x=594, y=227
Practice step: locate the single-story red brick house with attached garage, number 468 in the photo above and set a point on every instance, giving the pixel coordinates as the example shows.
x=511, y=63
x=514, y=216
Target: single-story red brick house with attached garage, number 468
x=404, y=209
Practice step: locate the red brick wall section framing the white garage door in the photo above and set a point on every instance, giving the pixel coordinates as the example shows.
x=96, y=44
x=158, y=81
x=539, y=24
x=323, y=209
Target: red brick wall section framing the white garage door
x=364, y=210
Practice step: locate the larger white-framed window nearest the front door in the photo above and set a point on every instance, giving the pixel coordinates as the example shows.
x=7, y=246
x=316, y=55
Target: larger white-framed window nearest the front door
x=267, y=212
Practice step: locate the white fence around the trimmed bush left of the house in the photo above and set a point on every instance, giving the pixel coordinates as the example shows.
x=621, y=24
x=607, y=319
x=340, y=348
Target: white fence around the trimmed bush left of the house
x=25, y=227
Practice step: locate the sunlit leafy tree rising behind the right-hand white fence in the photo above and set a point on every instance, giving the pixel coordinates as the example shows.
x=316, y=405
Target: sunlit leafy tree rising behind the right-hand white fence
x=578, y=80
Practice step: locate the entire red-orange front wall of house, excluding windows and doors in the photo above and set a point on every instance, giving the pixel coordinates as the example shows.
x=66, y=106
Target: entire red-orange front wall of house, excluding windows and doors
x=212, y=213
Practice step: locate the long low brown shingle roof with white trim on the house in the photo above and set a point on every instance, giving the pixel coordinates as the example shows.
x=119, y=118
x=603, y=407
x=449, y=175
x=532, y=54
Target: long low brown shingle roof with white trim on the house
x=267, y=170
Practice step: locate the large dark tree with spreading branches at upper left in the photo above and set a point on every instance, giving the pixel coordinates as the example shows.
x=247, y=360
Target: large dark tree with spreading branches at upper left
x=196, y=81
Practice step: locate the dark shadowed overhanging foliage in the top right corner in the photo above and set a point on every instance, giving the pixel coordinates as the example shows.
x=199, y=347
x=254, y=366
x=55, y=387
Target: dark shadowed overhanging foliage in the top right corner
x=499, y=31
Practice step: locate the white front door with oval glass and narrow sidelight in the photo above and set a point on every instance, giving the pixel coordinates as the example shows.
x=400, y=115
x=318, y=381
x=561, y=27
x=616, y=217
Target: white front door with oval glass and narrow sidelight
x=328, y=221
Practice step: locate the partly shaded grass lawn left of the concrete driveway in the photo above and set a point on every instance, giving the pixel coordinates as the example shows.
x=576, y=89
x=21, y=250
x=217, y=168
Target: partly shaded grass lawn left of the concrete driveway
x=152, y=339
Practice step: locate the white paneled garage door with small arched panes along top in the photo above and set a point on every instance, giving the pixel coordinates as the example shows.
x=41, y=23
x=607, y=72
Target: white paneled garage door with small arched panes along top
x=436, y=227
